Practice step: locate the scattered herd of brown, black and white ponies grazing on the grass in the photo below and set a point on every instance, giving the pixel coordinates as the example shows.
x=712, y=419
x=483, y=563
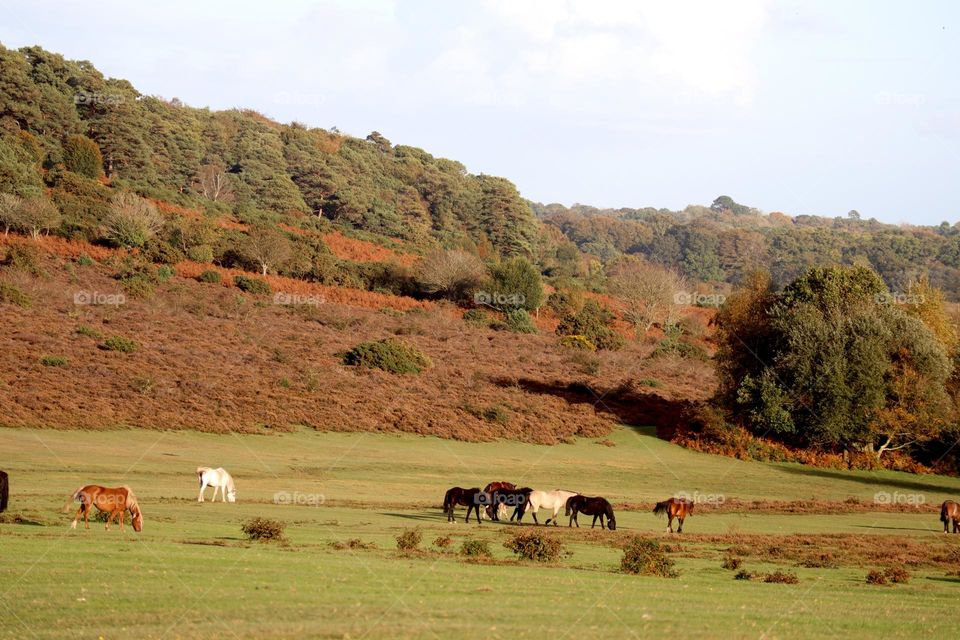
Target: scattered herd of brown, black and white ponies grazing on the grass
x=493, y=501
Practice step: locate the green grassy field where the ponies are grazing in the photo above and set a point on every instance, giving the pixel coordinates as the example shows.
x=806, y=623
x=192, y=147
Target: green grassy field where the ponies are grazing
x=191, y=573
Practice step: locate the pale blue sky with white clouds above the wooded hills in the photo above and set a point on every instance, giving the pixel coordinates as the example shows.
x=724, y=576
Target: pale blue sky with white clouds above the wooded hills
x=801, y=107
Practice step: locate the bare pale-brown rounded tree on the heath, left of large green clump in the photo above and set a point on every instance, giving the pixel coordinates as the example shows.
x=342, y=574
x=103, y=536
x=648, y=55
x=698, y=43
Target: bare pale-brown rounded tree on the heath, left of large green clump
x=647, y=294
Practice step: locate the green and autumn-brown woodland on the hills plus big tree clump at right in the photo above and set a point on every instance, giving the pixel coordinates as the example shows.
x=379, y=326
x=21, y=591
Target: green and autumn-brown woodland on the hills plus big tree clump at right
x=845, y=315
